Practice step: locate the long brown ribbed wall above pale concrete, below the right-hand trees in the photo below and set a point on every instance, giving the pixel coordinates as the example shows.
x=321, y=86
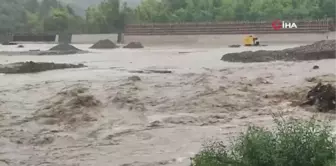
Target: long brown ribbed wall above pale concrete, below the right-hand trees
x=237, y=27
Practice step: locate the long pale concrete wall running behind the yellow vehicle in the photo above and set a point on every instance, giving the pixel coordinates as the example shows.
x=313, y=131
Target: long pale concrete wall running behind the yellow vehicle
x=219, y=40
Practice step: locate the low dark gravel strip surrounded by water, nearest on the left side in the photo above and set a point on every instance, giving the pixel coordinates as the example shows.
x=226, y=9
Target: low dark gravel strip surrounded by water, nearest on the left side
x=33, y=67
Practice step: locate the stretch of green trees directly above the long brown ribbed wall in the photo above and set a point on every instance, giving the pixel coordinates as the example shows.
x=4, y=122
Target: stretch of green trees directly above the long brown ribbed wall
x=218, y=10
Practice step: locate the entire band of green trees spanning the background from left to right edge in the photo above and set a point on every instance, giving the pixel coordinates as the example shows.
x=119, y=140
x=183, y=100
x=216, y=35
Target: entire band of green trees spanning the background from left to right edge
x=110, y=15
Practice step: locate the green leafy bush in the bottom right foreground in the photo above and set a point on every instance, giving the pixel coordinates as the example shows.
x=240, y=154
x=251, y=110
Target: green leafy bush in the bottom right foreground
x=292, y=143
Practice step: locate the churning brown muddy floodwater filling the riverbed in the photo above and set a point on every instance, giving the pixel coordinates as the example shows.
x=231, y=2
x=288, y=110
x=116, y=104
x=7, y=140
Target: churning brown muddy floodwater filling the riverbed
x=118, y=111
